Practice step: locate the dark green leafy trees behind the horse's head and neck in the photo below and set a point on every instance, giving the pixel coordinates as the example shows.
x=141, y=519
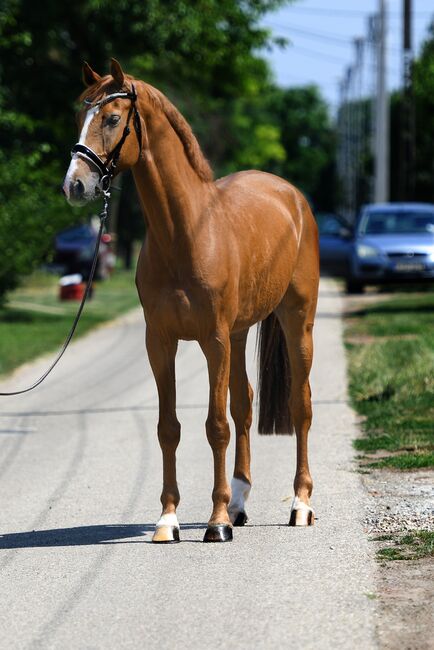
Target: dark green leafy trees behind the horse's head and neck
x=200, y=53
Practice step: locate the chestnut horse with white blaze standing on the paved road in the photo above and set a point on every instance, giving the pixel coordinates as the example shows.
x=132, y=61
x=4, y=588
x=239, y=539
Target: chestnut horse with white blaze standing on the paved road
x=218, y=257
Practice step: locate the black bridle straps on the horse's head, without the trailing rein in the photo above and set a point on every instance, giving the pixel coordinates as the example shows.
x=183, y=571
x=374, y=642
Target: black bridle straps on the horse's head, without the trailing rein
x=107, y=168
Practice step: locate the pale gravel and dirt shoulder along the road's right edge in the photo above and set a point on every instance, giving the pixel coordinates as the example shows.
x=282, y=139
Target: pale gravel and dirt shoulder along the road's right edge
x=399, y=502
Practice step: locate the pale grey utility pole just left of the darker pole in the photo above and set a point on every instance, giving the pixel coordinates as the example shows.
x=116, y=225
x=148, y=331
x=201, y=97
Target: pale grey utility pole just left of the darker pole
x=381, y=145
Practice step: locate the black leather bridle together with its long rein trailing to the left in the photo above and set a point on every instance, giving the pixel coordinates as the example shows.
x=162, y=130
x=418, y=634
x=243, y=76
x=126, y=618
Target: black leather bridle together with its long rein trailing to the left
x=106, y=170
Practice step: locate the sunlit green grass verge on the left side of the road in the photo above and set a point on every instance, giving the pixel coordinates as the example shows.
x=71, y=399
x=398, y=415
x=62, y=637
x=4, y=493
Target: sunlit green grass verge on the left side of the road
x=34, y=321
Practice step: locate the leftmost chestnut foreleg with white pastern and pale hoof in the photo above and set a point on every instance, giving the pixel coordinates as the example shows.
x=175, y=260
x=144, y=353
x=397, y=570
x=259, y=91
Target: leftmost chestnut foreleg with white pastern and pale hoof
x=162, y=359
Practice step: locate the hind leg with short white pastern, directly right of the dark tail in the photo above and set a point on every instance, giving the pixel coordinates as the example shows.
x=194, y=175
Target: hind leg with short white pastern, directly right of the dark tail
x=297, y=323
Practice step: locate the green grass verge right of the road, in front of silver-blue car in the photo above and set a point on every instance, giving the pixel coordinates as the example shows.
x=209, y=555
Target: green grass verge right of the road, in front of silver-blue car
x=391, y=372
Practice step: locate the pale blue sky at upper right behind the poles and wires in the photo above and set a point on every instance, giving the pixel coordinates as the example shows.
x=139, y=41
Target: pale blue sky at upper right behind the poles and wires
x=321, y=35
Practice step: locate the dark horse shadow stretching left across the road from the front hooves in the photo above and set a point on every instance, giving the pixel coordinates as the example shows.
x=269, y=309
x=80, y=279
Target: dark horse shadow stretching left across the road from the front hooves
x=84, y=535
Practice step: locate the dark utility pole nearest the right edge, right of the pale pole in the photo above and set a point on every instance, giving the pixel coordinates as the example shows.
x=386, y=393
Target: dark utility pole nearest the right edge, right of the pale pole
x=407, y=153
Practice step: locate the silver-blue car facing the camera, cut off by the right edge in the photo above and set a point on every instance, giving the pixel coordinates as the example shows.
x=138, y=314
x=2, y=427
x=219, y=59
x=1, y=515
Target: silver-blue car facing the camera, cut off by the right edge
x=393, y=242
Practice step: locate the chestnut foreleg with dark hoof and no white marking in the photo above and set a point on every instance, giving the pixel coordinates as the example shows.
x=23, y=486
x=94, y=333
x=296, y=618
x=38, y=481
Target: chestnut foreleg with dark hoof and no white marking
x=217, y=352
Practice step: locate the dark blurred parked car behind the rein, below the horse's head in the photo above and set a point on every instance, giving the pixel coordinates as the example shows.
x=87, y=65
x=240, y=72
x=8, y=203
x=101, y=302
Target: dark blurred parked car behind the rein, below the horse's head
x=74, y=250
